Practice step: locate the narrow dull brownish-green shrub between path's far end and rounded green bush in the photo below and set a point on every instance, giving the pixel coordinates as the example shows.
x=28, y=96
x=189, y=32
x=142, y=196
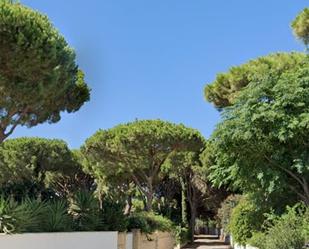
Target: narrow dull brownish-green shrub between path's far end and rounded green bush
x=225, y=211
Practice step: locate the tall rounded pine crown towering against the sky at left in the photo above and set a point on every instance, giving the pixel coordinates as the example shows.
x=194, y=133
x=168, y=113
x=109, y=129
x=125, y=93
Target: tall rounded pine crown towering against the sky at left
x=38, y=75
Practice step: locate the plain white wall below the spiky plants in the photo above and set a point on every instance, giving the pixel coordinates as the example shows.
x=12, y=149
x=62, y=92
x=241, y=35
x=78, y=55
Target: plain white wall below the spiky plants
x=74, y=240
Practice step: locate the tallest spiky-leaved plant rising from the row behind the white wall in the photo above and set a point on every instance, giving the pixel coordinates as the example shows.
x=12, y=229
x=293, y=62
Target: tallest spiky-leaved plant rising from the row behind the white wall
x=84, y=208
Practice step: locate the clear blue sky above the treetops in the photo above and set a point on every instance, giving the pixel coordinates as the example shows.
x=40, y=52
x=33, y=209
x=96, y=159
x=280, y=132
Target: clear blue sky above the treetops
x=151, y=59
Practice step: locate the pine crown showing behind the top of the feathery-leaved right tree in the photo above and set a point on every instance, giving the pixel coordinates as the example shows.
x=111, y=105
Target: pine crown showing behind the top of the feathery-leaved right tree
x=225, y=89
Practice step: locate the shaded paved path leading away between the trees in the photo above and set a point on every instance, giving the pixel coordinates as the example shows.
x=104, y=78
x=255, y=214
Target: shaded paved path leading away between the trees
x=207, y=242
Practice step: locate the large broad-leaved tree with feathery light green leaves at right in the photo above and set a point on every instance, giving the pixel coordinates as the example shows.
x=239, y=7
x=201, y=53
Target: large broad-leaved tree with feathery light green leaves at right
x=262, y=143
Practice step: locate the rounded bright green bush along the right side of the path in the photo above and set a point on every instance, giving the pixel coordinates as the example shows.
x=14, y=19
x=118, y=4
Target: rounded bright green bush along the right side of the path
x=244, y=221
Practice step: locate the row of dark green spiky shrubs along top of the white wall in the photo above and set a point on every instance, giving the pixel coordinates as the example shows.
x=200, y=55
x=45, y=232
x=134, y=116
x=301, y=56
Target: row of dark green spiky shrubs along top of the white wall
x=81, y=213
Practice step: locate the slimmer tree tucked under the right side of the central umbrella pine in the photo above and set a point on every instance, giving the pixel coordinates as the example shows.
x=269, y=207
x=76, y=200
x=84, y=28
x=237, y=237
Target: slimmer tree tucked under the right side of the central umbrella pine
x=187, y=168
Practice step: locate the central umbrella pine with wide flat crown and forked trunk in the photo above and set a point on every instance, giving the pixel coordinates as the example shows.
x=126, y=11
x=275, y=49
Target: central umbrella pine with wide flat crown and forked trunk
x=136, y=152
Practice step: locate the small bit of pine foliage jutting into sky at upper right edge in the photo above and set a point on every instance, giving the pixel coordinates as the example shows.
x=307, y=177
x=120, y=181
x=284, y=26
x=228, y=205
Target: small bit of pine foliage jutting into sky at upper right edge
x=301, y=26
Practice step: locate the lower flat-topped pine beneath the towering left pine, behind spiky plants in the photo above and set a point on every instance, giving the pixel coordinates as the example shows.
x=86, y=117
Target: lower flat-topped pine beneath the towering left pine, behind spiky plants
x=31, y=162
